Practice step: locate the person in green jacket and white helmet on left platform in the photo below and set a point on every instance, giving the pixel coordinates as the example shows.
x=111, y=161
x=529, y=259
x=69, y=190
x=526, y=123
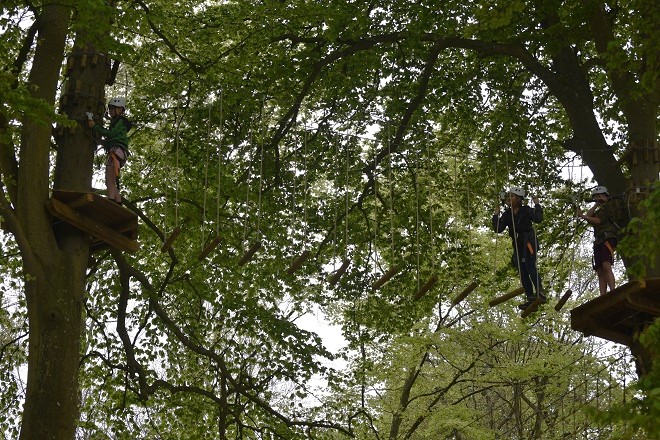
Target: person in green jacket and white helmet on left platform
x=115, y=144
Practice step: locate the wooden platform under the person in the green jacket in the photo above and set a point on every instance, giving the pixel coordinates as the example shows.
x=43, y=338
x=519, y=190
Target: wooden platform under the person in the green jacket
x=109, y=224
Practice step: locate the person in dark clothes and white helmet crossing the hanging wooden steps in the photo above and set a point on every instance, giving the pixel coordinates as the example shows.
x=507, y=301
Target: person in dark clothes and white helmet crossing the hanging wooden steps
x=518, y=218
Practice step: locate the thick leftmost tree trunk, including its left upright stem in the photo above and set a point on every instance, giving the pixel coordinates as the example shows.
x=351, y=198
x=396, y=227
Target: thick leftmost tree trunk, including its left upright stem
x=54, y=280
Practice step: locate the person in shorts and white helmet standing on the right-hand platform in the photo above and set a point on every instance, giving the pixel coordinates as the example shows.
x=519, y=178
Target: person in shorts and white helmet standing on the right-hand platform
x=601, y=216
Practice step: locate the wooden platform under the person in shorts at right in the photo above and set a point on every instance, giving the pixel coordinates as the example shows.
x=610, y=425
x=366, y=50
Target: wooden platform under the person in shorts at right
x=617, y=315
